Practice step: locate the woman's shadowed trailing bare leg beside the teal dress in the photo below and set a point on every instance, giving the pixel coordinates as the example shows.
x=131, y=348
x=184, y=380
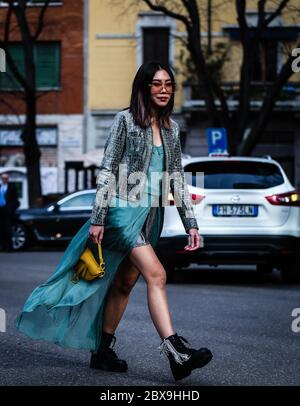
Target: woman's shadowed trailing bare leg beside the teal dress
x=124, y=281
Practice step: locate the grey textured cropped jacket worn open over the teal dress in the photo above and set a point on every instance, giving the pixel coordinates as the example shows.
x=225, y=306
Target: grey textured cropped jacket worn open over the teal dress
x=127, y=151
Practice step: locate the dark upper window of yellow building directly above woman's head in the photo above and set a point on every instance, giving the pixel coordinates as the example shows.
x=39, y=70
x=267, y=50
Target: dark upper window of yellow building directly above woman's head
x=156, y=44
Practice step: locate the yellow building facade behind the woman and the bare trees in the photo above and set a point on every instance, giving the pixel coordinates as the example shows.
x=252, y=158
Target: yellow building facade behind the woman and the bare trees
x=123, y=35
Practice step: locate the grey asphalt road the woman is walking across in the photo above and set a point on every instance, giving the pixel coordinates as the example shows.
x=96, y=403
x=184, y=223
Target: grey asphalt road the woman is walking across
x=245, y=320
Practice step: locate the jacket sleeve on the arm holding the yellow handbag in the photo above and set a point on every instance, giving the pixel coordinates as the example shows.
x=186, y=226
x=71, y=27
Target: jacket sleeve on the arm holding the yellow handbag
x=108, y=169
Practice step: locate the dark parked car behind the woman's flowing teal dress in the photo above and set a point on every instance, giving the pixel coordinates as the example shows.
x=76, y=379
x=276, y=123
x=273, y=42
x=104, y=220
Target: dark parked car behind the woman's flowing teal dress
x=56, y=222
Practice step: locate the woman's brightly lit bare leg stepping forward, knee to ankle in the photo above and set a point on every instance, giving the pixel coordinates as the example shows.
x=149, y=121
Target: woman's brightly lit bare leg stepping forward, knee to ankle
x=145, y=259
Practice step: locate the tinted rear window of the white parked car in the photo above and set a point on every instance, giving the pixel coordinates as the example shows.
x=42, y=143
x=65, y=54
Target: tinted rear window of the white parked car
x=235, y=174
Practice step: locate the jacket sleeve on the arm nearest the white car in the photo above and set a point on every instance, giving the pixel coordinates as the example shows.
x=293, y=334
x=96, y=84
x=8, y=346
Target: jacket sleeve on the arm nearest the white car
x=180, y=192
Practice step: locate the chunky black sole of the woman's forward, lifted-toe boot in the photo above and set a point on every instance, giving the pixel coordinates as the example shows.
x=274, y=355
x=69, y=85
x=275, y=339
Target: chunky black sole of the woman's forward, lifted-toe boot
x=181, y=371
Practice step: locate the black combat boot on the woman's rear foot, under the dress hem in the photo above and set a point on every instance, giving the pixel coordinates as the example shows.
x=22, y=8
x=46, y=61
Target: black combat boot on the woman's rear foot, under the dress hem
x=106, y=358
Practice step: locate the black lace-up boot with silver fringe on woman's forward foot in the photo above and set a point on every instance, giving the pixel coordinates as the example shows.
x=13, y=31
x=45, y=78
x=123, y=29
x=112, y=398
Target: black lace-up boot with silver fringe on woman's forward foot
x=183, y=359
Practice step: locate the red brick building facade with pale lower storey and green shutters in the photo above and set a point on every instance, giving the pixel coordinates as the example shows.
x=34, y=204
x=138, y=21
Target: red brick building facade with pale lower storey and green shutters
x=59, y=66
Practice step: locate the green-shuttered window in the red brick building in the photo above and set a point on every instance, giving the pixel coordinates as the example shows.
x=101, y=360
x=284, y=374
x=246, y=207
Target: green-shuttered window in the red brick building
x=47, y=64
